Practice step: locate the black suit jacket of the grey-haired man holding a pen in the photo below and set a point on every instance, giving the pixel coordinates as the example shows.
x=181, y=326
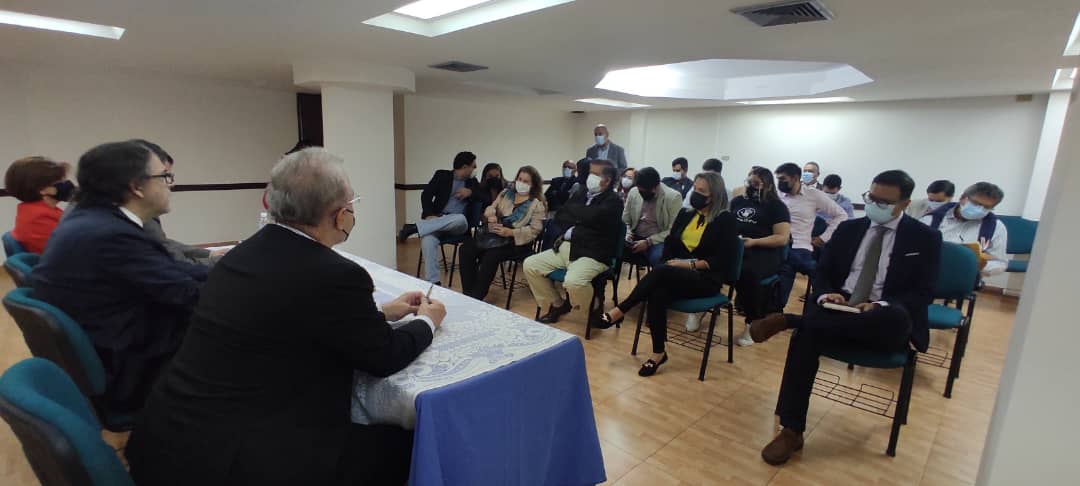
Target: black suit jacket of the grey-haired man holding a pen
x=264, y=380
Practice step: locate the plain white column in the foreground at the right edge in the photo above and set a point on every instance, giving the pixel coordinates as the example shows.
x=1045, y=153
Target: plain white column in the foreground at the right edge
x=1034, y=429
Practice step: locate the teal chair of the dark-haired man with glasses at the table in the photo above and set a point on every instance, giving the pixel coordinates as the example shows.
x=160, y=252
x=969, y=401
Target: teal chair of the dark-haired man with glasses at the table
x=52, y=335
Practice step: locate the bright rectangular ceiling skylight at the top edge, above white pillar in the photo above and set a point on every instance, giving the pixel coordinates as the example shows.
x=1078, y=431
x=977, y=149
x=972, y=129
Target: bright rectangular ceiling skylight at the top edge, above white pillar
x=436, y=18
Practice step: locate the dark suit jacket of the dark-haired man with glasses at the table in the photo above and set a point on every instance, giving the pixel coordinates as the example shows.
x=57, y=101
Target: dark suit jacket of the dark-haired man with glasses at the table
x=126, y=291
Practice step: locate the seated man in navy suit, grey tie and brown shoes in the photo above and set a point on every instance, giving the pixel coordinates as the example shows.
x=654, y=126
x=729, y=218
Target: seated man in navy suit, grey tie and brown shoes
x=885, y=266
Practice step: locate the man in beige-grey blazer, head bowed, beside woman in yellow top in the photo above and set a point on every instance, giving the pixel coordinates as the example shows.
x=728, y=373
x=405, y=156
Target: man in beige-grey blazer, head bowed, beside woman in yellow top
x=650, y=213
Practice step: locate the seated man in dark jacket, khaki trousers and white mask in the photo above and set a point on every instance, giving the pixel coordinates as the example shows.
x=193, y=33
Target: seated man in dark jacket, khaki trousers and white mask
x=592, y=219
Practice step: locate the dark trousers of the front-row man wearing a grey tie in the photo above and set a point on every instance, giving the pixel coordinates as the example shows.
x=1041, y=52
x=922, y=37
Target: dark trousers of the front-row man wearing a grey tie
x=886, y=329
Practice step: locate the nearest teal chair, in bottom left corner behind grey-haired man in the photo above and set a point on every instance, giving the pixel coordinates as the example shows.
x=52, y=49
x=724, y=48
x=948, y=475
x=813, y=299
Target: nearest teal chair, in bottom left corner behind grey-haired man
x=57, y=427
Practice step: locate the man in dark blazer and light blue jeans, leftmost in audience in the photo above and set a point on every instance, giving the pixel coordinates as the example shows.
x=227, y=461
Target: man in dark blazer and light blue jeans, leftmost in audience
x=448, y=201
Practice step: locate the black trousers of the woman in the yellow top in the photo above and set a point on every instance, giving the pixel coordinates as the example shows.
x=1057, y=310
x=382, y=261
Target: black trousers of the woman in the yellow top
x=663, y=287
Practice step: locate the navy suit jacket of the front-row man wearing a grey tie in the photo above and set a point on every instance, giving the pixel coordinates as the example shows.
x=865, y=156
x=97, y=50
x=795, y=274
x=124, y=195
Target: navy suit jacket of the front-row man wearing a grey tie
x=913, y=268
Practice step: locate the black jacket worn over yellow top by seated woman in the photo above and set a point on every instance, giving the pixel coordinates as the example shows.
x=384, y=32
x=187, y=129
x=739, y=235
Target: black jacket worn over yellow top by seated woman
x=718, y=245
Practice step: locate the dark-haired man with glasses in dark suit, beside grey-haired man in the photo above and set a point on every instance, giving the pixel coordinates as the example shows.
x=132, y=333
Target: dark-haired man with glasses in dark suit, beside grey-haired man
x=114, y=279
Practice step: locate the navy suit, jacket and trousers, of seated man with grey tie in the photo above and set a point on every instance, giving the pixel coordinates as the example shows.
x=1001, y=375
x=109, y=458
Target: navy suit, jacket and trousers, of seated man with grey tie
x=913, y=268
